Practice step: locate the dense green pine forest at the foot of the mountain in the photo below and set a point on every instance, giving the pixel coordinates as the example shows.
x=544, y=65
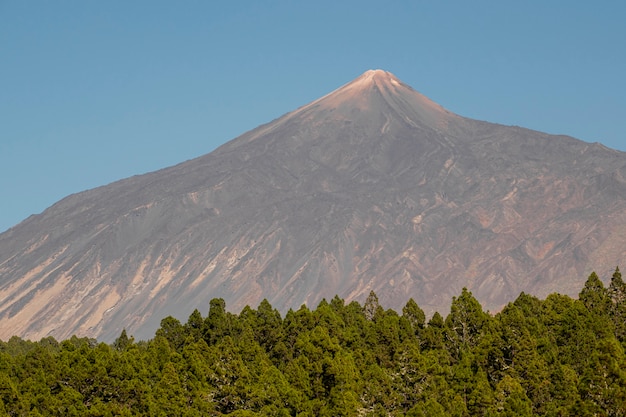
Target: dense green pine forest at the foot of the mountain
x=554, y=357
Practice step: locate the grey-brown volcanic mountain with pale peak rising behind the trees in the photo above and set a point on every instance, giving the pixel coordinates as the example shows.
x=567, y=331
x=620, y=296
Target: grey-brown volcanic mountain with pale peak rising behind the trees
x=372, y=187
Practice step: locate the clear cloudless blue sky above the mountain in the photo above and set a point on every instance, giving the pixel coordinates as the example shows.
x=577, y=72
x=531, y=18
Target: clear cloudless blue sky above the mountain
x=95, y=91
